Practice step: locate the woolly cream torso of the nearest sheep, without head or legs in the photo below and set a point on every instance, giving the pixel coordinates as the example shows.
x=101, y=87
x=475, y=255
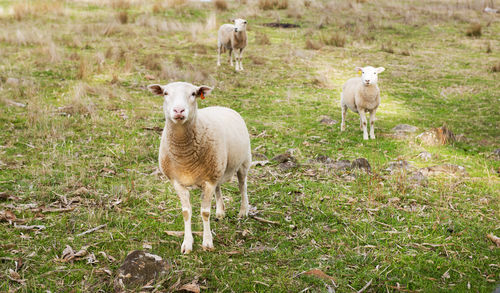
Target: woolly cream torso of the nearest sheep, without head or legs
x=211, y=148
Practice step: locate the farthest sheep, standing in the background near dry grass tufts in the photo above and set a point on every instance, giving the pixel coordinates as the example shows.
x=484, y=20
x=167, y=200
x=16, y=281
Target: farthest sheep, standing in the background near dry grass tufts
x=232, y=37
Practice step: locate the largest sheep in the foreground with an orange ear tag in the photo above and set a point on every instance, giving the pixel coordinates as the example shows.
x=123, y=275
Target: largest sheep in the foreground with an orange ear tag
x=201, y=148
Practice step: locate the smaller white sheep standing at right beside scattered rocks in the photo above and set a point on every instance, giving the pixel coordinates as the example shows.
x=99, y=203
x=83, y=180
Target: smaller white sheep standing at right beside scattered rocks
x=361, y=95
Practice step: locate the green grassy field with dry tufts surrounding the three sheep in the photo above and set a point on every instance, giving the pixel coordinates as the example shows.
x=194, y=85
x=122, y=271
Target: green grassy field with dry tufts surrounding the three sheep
x=78, y=145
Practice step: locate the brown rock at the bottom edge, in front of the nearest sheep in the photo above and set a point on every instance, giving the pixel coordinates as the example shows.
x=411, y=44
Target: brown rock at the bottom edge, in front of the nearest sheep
x=138, y=269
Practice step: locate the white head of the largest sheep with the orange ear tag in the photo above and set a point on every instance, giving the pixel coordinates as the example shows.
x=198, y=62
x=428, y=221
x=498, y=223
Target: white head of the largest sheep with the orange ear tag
x=180, y=99
